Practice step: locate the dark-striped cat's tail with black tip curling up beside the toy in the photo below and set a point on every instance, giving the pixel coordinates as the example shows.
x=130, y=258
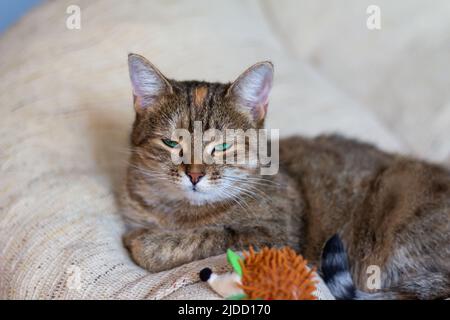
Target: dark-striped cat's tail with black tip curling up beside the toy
x=336, y=274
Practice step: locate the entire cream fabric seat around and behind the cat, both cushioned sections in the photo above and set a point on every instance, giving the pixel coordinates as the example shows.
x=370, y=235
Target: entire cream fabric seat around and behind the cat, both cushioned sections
x=66, y=112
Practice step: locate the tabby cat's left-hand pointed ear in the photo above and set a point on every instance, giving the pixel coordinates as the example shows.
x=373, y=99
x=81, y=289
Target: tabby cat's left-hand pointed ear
x=148, y=83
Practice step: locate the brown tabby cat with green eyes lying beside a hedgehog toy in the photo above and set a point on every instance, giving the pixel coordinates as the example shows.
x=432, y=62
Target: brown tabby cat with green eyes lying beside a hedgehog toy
x=387, y=210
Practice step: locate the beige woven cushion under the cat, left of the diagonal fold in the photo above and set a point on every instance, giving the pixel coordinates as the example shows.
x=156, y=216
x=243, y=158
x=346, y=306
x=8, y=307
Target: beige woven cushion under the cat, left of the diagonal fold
x=66, y=112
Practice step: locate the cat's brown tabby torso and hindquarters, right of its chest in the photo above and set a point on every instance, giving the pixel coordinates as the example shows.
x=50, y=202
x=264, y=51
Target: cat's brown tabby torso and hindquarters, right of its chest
x=392, y=212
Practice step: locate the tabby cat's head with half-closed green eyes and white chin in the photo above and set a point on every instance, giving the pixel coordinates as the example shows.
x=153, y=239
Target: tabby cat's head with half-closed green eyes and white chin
x=163, y=105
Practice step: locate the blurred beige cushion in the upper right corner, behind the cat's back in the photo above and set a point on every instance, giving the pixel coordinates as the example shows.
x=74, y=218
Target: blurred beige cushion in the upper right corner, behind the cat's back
x=400, y=72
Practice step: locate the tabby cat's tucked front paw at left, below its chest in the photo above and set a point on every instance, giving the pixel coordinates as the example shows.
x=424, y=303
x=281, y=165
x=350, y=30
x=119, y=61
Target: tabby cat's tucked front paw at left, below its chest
x=154, y=252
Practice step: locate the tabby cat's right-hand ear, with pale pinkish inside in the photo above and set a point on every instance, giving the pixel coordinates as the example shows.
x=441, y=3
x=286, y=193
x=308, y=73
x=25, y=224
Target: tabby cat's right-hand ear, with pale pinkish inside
x=251, y=89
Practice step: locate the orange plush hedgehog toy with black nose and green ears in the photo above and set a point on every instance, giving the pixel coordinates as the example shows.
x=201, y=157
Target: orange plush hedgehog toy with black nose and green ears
x=271, y=274
